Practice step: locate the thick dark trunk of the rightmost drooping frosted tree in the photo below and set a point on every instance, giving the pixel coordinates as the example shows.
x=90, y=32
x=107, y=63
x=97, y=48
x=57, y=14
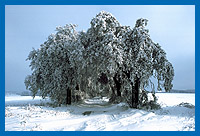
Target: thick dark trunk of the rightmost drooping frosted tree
x=135, y=93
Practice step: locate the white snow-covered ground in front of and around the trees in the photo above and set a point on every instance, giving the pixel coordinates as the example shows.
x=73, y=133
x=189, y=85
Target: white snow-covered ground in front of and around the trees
x=22, y=113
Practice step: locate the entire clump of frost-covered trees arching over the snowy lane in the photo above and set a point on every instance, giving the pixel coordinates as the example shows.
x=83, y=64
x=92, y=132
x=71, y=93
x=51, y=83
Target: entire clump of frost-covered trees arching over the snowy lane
x=107, y=60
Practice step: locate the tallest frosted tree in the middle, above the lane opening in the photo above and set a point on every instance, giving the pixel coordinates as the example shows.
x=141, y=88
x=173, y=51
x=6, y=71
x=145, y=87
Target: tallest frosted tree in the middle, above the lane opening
x=102, y=53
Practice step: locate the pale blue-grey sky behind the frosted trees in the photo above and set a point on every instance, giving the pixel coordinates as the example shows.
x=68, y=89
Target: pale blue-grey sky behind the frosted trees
x=173, y=27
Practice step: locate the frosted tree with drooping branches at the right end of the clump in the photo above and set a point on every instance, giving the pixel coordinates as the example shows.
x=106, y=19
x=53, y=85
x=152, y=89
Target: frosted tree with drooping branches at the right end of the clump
x=144, y=59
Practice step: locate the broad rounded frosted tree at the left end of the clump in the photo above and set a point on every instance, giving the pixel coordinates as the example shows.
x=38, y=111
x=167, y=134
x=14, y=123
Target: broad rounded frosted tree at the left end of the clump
x=53, y=75
